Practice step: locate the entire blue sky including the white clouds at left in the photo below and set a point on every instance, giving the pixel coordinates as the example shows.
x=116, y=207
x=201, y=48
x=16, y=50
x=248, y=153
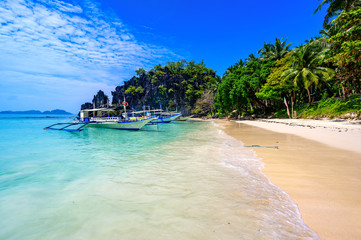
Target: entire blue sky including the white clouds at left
x=56, y=54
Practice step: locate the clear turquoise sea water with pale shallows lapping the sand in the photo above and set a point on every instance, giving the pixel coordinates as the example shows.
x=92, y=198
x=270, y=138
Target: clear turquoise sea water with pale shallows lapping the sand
x=184, y=180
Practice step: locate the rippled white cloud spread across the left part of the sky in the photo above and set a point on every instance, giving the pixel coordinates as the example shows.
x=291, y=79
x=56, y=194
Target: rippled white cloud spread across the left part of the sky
x=54, y=46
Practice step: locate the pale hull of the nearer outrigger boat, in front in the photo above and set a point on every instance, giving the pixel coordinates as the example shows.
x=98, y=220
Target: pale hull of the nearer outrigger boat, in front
x=131, y=125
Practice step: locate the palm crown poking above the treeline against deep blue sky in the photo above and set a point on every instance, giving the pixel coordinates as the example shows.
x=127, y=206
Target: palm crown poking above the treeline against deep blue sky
x=275, y=51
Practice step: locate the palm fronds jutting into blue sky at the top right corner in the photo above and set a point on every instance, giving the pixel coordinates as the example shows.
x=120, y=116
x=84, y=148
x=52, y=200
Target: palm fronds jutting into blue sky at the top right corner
x=336, y=6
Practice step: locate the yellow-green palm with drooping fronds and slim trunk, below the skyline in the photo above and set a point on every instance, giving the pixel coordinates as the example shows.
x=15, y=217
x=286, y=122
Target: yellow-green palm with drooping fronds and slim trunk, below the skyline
x=306, y=68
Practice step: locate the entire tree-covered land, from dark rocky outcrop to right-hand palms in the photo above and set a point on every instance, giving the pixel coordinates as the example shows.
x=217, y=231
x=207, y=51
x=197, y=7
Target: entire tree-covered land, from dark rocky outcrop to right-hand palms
x=320, y=78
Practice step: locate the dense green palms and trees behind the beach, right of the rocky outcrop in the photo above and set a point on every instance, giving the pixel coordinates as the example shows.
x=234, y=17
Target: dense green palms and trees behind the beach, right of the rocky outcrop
x=304, y=78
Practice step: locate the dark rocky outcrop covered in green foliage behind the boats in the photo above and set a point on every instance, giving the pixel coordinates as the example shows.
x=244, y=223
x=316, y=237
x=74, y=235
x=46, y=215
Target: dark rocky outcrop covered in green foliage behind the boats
x=176, y=85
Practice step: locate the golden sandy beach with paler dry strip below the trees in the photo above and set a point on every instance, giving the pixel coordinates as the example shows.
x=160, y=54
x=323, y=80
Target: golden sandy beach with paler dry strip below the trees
x=318, y=163
